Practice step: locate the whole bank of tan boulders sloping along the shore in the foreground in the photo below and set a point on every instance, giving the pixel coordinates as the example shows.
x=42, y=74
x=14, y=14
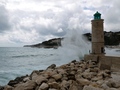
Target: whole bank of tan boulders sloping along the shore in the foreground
x=76, y=75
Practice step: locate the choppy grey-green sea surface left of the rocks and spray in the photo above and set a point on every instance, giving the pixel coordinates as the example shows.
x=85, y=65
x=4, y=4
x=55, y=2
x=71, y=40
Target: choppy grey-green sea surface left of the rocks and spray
x=20, y=61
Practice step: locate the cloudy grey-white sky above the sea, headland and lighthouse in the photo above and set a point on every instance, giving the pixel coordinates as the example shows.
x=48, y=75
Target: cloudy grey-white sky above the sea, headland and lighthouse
x=24, y=22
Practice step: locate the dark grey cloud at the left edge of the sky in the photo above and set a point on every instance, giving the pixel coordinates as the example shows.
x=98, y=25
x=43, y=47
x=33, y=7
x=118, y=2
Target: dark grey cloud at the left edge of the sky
x=4, y=19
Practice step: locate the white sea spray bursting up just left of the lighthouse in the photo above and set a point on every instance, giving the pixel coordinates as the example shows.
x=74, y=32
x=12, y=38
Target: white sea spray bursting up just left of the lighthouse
x=74, y=46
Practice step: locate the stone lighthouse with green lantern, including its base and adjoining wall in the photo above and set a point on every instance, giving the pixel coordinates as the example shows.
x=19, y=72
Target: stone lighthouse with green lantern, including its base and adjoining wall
x=97, y=47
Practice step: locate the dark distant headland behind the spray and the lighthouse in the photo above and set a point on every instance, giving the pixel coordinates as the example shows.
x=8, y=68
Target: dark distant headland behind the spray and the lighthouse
x=111, y=38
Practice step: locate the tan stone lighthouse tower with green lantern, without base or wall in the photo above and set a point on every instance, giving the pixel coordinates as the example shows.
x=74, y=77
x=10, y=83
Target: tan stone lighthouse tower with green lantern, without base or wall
x=97, y=35
